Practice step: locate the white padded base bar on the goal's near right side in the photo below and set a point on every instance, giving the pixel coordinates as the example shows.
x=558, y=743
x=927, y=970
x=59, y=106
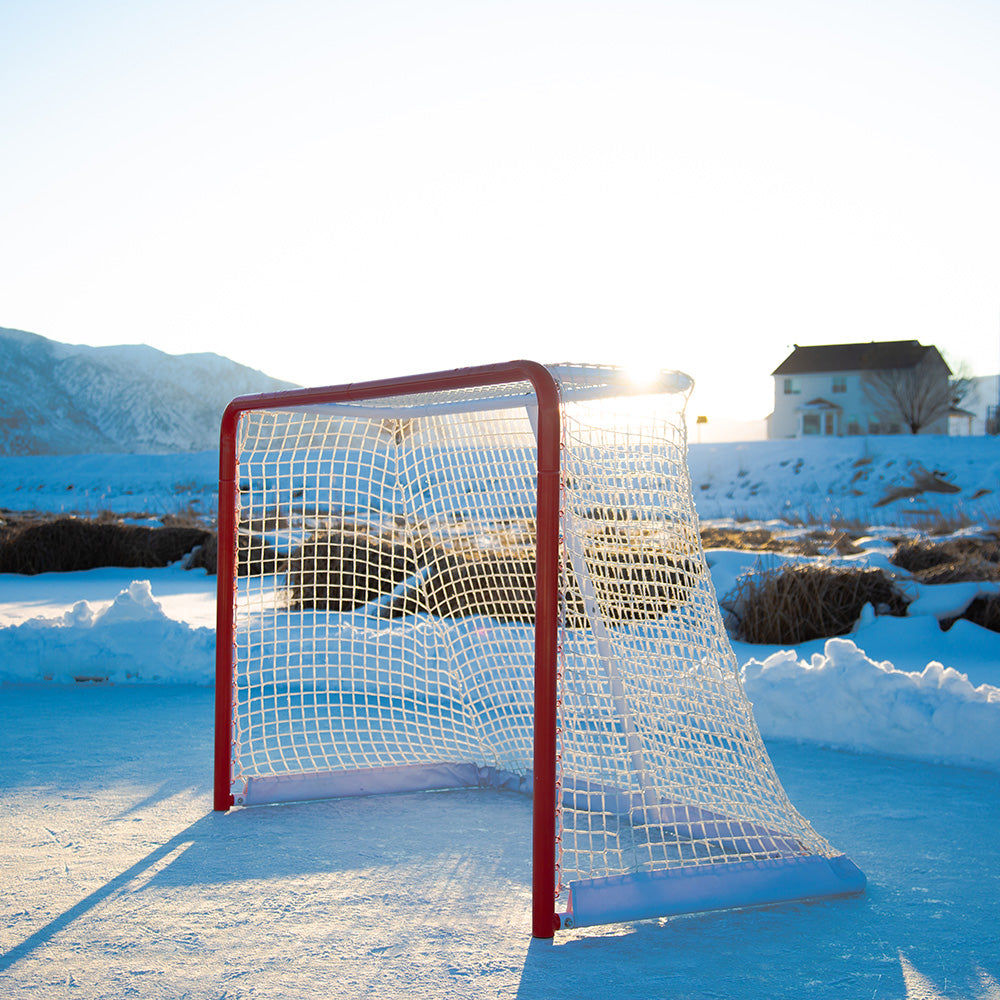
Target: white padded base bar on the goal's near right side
x=645, y=895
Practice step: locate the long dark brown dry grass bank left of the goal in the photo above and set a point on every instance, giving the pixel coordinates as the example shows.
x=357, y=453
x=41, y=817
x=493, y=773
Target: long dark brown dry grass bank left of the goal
x=68, y=544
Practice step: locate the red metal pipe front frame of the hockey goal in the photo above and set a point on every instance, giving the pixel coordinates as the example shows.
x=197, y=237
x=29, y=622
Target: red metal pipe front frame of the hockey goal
x=545, y=921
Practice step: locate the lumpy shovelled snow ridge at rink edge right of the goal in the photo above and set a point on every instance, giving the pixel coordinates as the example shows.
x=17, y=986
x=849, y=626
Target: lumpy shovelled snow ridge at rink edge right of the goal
x=842, y=698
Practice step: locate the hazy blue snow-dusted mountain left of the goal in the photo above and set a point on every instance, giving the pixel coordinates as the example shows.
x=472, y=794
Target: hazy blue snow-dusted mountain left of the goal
x=62, y=399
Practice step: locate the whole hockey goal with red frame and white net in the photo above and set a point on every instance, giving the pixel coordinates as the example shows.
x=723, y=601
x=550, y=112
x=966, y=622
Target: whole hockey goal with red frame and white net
x=494, y=576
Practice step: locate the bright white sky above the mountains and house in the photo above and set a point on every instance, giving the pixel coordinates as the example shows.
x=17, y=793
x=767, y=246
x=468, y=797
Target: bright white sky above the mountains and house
x=335, y=190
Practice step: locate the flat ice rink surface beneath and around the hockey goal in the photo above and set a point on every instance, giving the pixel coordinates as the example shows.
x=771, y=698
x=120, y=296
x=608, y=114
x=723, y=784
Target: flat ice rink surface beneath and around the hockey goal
x=127, y=884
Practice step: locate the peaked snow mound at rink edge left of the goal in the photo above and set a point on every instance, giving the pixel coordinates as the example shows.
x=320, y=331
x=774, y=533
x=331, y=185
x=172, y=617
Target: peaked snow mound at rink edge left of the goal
x=132, y=640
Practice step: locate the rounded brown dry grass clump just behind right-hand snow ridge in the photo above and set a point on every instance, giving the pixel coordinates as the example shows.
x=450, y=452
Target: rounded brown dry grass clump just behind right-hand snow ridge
x=795, y=603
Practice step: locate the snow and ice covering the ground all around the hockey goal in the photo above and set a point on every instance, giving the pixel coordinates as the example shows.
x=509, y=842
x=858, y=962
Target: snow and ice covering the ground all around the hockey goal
x=119, y=880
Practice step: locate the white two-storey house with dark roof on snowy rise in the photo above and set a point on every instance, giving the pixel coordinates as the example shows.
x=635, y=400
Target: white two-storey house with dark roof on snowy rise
x=886, y=387
